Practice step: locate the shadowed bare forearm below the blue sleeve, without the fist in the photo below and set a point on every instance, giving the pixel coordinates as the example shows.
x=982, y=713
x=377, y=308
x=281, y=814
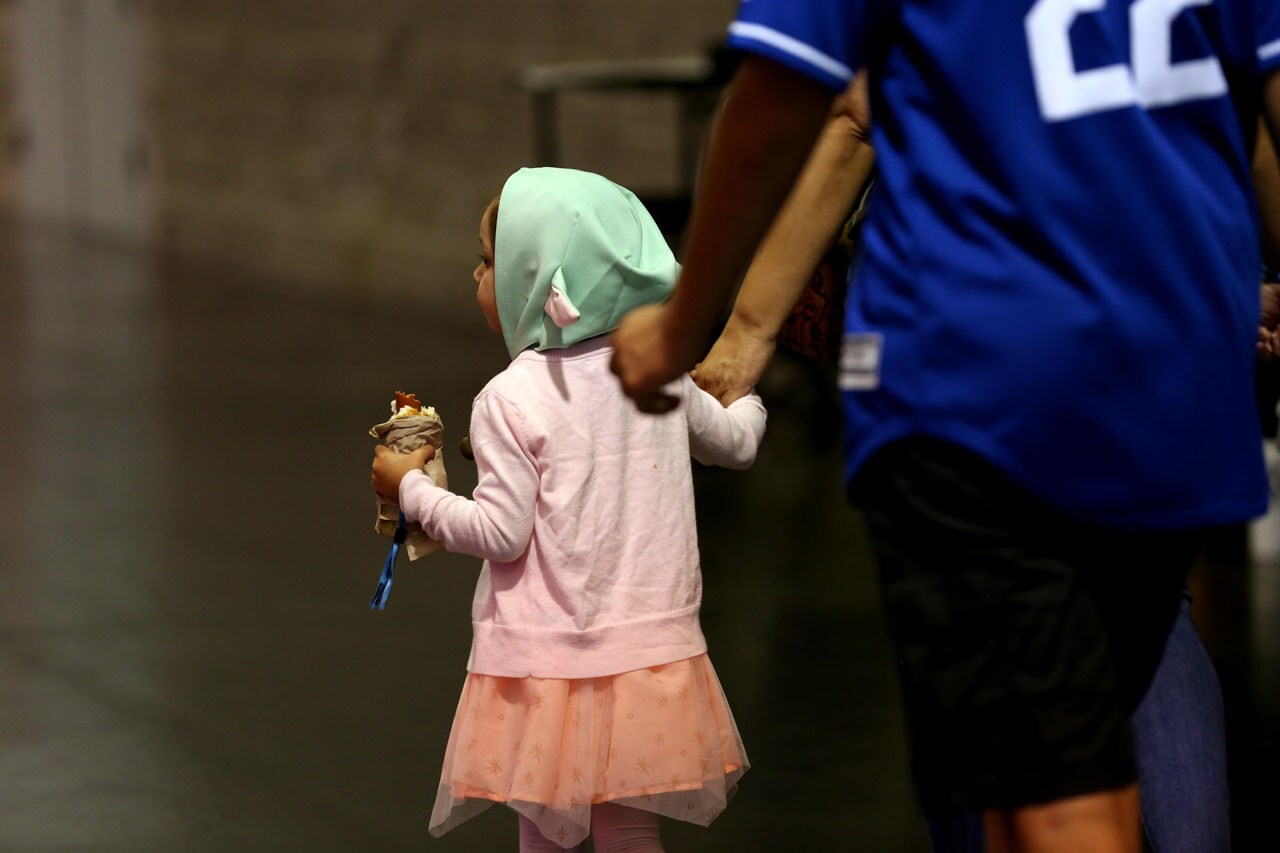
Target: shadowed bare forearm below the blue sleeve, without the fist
x=760, y=143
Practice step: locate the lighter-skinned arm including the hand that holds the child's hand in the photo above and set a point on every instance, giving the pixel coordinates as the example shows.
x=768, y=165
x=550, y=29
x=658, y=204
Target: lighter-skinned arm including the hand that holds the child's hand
x=792, y=250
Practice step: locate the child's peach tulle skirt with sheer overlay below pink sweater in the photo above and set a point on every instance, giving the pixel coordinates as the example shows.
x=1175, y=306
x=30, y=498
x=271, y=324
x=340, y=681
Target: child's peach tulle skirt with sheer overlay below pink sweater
x=661, y=740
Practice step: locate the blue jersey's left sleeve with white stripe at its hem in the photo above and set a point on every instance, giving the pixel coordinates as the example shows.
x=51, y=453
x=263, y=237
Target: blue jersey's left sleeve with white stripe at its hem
x=822, y=39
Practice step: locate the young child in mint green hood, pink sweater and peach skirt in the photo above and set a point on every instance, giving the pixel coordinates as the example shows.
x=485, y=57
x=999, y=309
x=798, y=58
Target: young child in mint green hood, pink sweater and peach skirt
x=591, y=705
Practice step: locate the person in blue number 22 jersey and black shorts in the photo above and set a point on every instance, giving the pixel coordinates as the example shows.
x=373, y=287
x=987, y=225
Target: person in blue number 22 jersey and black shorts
x=1048, y=354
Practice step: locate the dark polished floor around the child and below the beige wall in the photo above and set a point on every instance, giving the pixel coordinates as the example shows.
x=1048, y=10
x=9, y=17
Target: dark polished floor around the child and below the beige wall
x=188, y=658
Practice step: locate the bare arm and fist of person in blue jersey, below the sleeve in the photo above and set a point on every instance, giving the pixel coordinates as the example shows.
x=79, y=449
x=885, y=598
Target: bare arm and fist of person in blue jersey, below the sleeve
x=760, y=144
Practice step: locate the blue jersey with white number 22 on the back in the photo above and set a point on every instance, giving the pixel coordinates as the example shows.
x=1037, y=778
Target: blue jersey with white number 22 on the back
x=1060, y=270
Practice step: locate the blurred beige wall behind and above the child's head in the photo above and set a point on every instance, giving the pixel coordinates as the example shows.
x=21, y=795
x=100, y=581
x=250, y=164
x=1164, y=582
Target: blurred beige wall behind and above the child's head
x=351, y=145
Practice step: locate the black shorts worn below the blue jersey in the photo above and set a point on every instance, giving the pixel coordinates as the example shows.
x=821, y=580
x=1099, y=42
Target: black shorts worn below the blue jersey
x=1025, y=640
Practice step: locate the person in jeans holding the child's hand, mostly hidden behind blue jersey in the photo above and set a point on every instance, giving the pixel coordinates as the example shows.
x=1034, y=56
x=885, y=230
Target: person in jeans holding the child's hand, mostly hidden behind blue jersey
x=1180, y=727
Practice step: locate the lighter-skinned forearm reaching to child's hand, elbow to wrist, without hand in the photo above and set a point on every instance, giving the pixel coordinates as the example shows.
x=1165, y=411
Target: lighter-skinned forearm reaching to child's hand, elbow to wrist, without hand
x=804, y=229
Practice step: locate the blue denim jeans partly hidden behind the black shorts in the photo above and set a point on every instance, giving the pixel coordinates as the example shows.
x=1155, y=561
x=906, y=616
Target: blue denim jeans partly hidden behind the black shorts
x=1181, y=743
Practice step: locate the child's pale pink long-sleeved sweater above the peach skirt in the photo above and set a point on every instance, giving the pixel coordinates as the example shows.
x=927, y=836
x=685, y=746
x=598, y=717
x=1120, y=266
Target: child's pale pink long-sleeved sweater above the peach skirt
x=584, y=514
